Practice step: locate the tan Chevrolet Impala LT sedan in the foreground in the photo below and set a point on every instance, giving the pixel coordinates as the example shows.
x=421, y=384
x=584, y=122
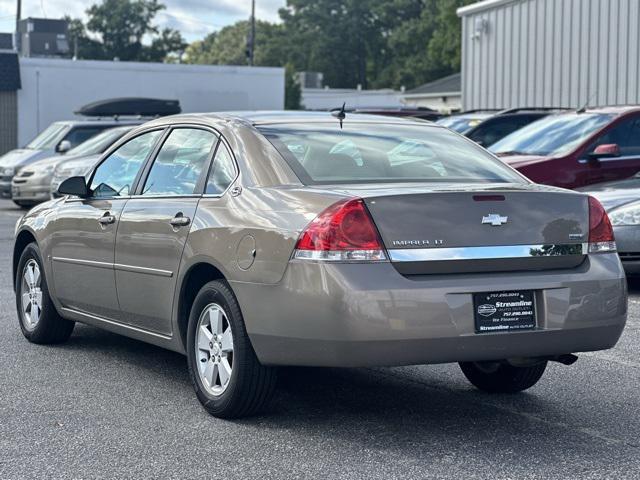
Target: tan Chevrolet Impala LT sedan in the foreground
x=242, y=242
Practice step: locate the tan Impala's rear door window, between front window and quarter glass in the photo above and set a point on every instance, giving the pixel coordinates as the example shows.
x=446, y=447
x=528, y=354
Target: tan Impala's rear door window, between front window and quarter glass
x=179, y=164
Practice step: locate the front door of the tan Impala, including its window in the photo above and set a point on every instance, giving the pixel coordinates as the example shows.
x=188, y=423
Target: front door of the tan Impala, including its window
x=82, y=247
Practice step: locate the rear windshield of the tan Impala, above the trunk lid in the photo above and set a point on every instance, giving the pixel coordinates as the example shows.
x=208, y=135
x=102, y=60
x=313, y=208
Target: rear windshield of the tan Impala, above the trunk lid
x=384, y=153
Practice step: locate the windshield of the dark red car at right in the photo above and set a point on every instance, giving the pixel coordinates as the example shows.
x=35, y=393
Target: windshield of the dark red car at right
x=555, y=135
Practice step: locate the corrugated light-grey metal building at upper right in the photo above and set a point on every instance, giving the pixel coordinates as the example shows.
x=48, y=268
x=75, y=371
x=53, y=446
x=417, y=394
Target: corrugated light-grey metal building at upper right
x=550, y=53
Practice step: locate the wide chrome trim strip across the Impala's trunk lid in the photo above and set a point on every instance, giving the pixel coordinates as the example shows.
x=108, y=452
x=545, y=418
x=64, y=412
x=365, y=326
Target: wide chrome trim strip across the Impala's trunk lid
x=486, y=253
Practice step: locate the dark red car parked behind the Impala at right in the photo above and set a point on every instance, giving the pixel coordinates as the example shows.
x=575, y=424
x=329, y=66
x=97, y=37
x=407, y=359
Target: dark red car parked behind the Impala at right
x=576, y=149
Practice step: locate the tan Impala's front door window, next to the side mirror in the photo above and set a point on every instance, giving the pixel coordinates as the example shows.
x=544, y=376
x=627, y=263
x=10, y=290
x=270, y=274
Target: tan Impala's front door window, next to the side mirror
x=115, y=176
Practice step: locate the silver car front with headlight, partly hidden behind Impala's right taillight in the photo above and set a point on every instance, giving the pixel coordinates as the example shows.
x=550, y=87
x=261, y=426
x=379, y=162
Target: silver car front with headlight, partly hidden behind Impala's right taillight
x=621, y=199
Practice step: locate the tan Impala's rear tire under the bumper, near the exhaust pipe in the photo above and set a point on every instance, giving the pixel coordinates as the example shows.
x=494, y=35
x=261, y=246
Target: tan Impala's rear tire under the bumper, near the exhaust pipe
x=499, y=377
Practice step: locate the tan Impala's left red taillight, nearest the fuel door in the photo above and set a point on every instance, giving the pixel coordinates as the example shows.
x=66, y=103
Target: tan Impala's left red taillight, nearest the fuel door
x=344, y=232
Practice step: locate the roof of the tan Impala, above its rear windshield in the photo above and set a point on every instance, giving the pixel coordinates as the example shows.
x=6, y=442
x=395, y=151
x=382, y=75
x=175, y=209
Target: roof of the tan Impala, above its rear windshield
x=257, y=118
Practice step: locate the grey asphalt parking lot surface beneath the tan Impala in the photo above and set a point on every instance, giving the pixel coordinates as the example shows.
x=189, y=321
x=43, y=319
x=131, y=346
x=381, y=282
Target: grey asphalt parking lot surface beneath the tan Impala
x=106, y=406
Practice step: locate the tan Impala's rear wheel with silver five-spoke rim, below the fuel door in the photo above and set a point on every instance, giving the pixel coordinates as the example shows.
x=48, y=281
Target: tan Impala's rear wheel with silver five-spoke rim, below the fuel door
x=228, y=379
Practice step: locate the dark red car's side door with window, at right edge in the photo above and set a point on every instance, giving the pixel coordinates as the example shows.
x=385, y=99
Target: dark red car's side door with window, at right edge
x=626, y=135
